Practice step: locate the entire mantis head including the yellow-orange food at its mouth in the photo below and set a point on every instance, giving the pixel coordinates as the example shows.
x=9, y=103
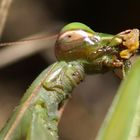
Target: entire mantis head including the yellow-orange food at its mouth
x=98, y=52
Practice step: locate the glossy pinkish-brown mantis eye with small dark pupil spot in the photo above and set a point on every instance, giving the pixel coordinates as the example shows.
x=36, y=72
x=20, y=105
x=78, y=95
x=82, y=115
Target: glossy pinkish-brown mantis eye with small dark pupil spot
x=72, y=41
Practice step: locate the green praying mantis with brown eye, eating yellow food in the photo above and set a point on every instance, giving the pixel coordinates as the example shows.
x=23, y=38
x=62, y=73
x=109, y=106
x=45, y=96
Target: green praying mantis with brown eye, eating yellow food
x=79, y=51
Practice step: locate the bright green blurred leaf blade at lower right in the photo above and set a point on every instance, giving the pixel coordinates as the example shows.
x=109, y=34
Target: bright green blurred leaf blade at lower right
x=123, y=119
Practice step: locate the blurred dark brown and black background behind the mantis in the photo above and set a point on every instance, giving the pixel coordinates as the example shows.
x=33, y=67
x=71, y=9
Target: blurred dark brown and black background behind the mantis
x=90, y=101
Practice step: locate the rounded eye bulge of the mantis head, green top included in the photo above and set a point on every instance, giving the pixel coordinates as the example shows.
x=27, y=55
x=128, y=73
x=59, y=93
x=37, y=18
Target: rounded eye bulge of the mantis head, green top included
x=75, y=41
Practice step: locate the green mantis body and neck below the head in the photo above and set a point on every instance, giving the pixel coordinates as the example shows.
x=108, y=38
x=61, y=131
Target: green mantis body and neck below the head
x=37, y=115
